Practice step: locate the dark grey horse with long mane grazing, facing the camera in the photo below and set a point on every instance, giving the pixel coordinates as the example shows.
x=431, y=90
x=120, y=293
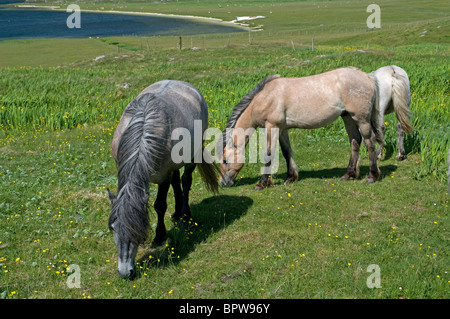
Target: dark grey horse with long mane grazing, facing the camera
x=142, y=146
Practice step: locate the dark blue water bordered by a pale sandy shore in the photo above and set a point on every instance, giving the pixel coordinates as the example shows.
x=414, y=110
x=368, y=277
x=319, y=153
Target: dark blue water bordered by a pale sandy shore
x=30, y=23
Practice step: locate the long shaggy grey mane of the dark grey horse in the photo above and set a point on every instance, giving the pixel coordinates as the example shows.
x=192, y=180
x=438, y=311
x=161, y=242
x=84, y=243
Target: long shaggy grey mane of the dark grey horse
x=140, y=149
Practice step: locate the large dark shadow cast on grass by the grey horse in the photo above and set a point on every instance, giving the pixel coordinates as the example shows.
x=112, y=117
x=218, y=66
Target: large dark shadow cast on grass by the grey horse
x=208, y=217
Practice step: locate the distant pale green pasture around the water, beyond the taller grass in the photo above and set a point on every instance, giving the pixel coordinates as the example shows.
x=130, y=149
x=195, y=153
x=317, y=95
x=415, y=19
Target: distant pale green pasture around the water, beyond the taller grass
x=286, y=23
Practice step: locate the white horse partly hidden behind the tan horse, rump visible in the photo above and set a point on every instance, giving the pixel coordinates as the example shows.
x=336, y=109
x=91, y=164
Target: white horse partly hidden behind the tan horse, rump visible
x=395, y=96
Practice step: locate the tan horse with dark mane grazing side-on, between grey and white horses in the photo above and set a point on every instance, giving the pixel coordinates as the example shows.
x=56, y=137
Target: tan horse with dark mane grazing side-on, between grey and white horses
x=306, y=102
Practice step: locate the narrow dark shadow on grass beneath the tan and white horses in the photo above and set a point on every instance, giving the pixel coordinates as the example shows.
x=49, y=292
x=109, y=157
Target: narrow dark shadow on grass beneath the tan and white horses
x=331, y=173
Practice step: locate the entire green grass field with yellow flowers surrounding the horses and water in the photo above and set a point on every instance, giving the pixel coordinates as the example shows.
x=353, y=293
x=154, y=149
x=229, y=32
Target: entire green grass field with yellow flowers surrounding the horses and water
x=312, y=239
